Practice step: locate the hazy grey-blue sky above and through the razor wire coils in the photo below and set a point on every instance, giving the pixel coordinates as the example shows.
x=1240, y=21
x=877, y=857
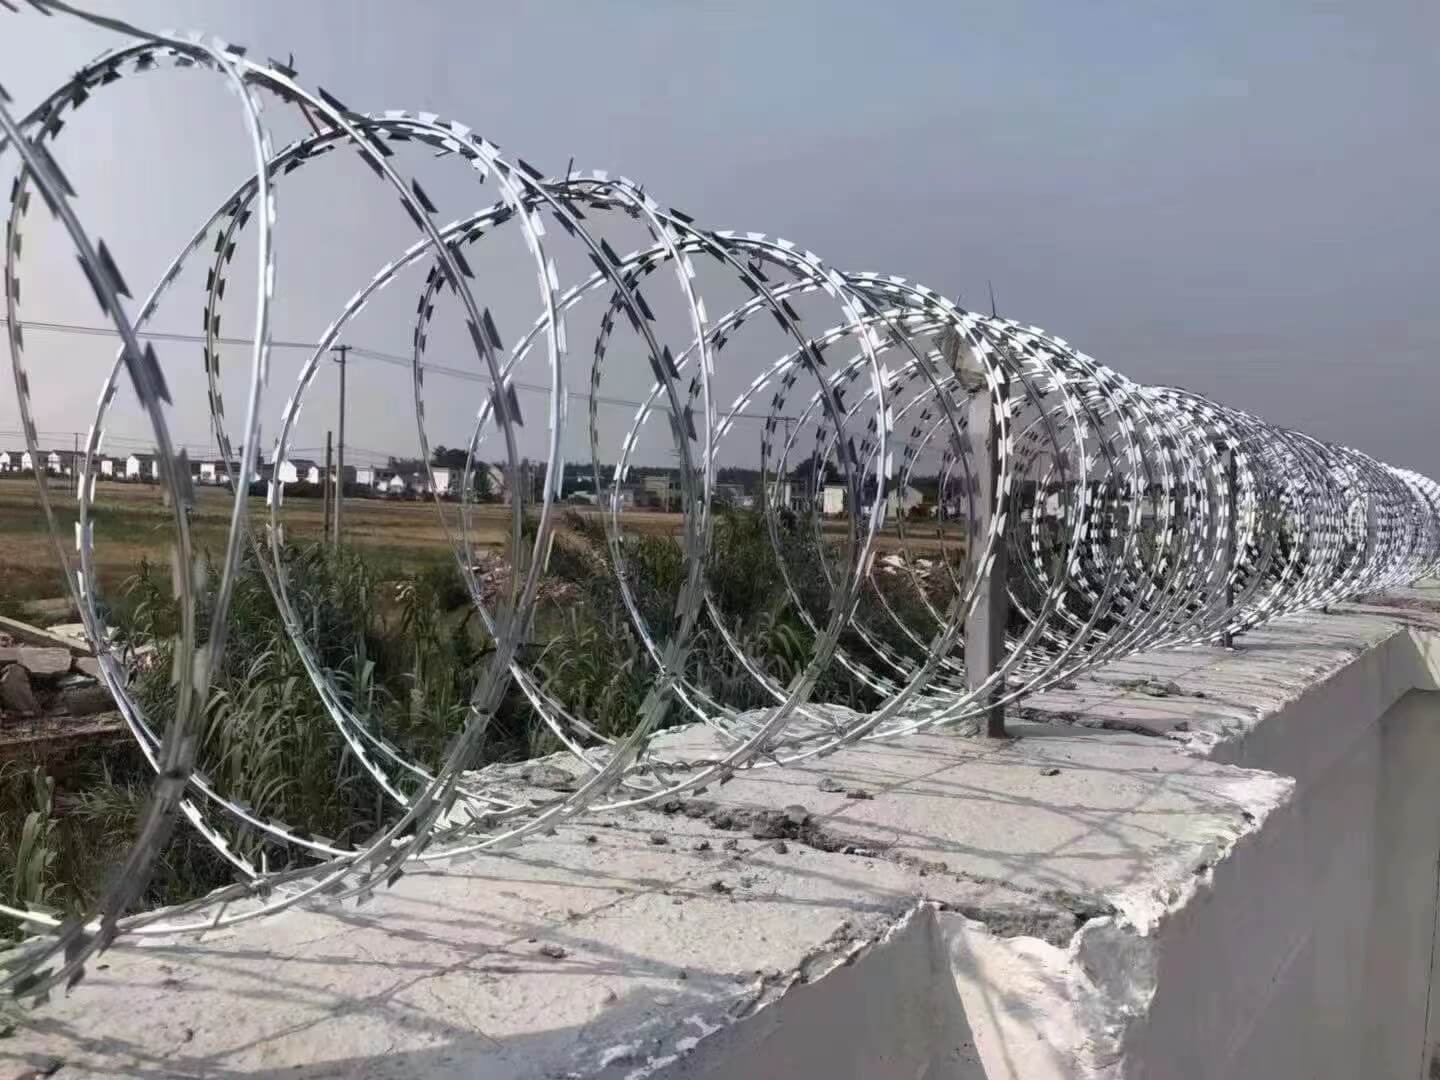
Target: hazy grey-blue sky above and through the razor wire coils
x=1238, y=198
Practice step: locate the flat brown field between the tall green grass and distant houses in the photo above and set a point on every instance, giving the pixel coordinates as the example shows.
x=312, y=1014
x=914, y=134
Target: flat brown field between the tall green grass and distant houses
x=132, y=522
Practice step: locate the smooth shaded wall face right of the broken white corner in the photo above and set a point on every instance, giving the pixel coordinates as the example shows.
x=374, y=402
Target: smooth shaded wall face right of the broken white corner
x=1310, y=955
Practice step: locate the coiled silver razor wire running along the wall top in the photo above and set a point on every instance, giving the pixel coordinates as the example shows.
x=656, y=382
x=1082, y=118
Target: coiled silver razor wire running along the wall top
x=1133, y=518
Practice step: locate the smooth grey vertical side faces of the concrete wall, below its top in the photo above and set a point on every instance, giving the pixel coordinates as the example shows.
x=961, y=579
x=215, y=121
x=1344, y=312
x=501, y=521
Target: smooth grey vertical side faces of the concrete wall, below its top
x=1305, y=954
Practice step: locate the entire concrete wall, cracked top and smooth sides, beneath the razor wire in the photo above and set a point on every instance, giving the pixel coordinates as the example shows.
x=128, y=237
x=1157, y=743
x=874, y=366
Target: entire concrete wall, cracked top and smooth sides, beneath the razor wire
x=1233, y=878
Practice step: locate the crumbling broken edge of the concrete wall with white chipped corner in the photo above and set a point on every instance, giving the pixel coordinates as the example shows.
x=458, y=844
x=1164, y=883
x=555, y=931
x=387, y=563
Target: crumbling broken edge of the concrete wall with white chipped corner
x=1075, y=1012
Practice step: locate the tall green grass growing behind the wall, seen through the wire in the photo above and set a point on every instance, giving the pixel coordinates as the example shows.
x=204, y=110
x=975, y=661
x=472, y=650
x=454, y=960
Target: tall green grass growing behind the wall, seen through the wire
x=404, y=649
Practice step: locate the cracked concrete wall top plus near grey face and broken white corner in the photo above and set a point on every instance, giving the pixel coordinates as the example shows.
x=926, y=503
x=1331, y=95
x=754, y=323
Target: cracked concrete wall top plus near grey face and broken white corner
x=994, y=909
